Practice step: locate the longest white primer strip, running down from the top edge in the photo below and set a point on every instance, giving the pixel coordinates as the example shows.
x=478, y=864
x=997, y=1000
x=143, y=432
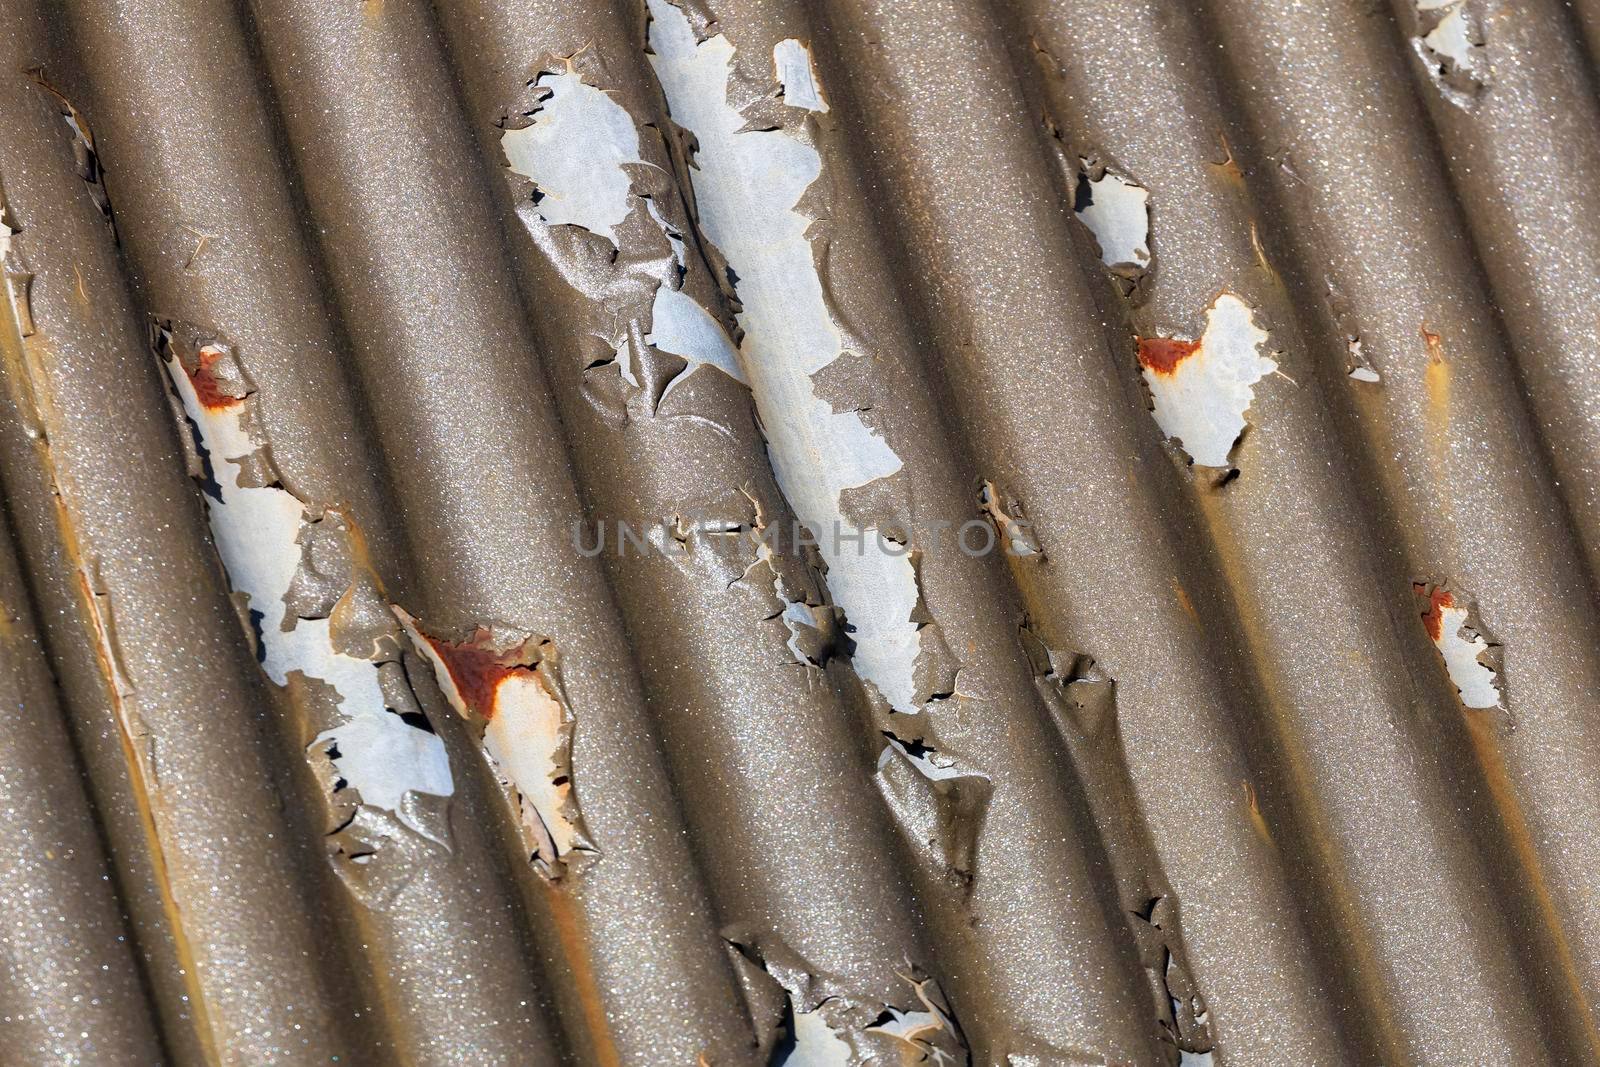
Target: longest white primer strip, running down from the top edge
x=746, y=188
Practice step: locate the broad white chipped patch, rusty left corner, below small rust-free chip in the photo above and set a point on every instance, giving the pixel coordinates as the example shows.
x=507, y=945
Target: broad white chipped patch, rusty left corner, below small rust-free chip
x=1202, y=390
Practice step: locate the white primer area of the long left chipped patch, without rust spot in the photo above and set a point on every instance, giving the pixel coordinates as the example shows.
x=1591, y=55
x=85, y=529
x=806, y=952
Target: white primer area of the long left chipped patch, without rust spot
x=257, y=533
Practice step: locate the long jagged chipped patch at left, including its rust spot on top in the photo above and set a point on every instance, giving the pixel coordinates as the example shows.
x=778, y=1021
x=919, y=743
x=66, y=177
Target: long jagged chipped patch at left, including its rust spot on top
x=260, y=535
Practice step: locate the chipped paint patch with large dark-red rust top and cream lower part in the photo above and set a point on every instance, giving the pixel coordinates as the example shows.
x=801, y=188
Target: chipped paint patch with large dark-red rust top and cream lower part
x=506, y=689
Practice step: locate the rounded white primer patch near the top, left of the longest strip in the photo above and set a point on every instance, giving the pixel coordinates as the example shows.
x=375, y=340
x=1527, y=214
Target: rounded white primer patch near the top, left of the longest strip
x=575, y=153
